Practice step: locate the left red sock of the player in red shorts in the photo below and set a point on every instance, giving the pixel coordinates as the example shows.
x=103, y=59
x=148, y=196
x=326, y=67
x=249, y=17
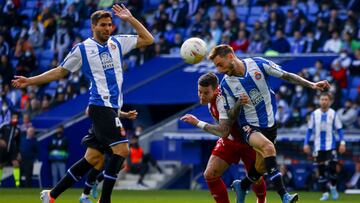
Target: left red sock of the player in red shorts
x=218, y=190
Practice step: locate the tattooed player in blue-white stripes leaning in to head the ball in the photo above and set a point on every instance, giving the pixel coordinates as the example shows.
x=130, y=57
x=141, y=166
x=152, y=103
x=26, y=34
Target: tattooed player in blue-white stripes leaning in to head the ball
x=257, y=118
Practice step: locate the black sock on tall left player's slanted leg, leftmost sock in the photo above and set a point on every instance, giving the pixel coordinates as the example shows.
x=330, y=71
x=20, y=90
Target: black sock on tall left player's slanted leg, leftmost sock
x=73, y=175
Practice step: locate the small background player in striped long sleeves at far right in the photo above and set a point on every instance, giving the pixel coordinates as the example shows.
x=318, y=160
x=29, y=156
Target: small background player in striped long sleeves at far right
x=323, y=123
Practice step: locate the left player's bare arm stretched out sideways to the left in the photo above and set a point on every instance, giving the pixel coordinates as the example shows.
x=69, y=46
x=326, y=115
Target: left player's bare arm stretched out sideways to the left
x=48, y=76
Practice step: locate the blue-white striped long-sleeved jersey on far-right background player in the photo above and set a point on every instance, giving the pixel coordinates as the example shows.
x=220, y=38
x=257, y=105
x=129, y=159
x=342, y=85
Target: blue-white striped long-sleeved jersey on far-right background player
x=324, y=125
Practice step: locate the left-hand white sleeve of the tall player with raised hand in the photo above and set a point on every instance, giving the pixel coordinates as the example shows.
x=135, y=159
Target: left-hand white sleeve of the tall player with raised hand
x=73, y=60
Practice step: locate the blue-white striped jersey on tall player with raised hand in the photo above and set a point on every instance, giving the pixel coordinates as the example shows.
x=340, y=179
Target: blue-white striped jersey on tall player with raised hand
x=102, y=65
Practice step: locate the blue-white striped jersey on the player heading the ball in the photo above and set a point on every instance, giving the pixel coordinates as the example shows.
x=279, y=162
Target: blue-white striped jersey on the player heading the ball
x=261, y=109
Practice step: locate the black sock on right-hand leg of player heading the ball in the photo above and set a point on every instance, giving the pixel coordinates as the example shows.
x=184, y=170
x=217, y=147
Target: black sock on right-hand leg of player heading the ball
x=274, y=175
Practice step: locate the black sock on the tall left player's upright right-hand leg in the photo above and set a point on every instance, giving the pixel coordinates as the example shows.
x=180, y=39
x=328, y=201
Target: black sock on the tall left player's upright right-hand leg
x=110, y=177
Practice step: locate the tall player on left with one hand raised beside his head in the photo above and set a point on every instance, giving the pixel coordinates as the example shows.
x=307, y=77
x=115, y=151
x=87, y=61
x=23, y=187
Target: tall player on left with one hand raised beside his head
x=100, y=58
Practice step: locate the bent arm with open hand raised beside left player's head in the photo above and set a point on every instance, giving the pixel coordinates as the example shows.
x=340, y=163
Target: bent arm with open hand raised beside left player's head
x=144, y=36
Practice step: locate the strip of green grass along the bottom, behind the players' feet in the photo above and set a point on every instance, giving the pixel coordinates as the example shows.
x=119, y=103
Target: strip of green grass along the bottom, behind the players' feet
x=162, y=196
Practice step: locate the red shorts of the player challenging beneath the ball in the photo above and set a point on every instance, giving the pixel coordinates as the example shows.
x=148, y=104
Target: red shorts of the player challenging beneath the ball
x=232, y=151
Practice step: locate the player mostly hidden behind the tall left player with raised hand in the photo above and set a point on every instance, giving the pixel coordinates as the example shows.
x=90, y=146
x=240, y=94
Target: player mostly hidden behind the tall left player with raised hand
x=96, y=174
